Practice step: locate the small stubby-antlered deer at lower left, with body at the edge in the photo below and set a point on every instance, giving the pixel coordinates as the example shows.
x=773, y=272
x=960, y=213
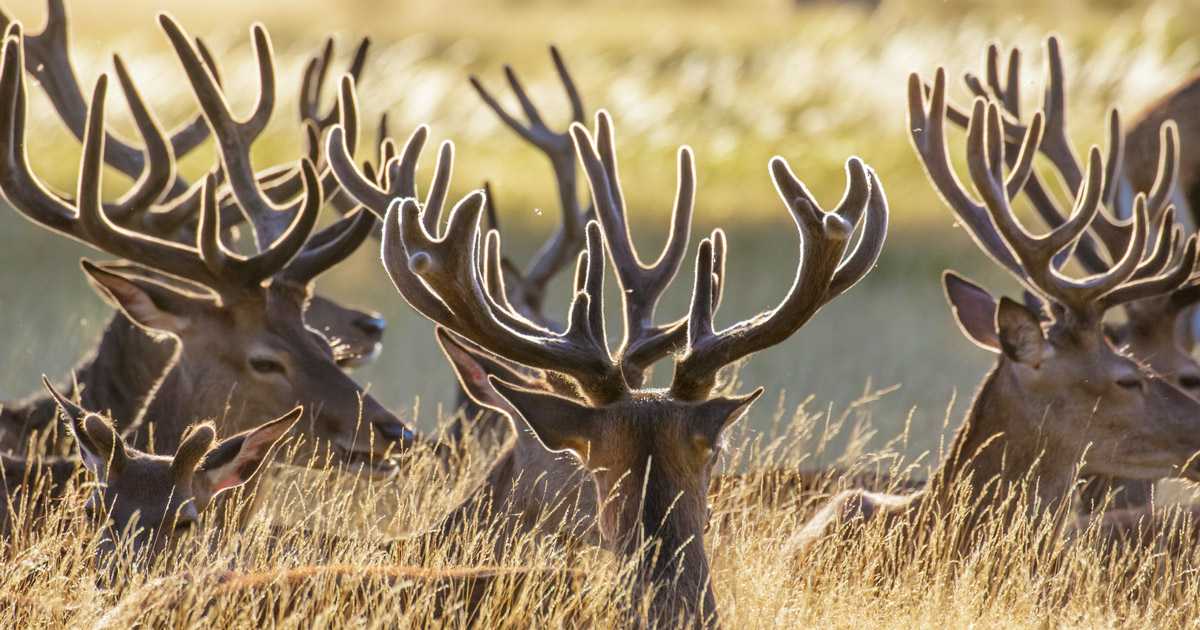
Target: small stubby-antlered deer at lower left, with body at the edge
x=145, y=505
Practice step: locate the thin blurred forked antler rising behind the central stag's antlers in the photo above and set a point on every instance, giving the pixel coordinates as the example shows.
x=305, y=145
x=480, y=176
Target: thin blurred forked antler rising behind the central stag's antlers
x=559, y=147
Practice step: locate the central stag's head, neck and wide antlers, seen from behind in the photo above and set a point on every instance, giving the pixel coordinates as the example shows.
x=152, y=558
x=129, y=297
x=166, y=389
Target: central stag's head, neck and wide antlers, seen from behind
x=651, y=452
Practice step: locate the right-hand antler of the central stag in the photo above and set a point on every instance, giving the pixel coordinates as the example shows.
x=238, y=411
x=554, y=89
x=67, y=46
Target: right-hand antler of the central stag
x=821, y=275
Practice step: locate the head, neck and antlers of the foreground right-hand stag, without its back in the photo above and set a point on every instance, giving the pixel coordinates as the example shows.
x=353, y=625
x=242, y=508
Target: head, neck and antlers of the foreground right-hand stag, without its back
x=1061, y=394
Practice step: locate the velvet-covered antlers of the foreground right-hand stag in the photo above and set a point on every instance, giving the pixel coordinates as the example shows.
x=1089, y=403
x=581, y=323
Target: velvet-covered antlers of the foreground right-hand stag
x=1031, y=260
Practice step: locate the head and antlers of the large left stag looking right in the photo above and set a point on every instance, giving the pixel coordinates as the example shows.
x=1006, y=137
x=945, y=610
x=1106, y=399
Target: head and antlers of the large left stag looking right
x=257, y=301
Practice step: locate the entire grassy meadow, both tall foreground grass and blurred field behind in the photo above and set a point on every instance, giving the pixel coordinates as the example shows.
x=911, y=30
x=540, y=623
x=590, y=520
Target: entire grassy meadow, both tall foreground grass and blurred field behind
x=880, y=379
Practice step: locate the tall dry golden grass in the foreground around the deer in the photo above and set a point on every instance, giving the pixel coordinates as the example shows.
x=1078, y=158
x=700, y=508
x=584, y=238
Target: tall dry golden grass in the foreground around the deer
x=1024, y=575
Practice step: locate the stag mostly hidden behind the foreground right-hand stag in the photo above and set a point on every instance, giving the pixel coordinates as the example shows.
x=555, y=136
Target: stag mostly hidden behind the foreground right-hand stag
x=1156, y=331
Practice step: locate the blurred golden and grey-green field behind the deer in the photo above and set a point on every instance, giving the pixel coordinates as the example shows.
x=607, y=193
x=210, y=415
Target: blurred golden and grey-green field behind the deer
x=740, y=81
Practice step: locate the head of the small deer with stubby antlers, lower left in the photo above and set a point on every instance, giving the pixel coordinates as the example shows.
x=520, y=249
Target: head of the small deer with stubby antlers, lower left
x=149, y=502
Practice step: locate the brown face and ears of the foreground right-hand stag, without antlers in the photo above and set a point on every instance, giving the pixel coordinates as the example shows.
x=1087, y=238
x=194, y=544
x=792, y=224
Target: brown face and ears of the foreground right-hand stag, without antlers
x=1099, y=406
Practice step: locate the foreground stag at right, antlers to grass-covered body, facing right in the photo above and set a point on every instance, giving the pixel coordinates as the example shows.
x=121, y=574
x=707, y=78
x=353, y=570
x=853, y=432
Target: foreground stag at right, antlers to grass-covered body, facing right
x=1061, y=400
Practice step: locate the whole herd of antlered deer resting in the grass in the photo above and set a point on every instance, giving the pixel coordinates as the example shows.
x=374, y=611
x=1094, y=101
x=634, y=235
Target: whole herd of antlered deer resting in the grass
x=215, y=357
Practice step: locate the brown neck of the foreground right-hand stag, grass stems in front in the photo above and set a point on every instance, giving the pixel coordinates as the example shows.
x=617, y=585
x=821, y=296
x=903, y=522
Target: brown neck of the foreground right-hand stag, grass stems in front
x=999, y=449
